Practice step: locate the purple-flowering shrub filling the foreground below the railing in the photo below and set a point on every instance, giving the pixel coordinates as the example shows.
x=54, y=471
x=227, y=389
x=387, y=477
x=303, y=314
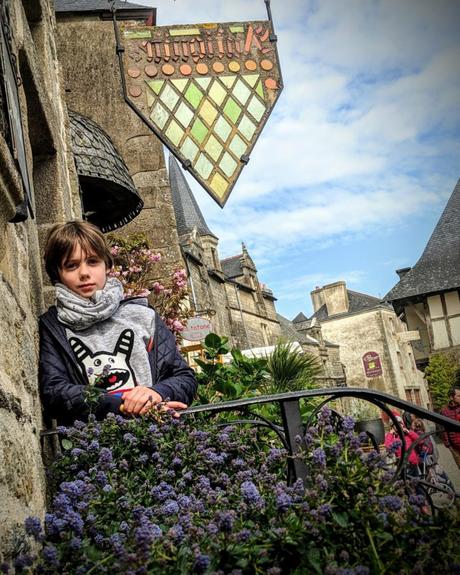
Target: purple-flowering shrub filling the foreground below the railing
x=179, y=496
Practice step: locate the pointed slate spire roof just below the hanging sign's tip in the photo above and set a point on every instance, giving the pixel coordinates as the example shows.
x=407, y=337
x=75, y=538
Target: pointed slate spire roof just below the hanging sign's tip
x=188, y=213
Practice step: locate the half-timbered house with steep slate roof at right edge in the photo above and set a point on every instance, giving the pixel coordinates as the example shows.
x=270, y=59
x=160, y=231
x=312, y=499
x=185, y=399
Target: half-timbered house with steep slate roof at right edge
x=427, y=295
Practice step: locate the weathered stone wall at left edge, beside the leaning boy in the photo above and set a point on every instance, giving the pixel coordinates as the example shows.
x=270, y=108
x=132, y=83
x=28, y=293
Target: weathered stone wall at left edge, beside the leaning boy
x=24, y=290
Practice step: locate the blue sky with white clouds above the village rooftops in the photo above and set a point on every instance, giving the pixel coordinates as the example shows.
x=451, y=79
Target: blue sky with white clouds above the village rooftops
x=362, y=152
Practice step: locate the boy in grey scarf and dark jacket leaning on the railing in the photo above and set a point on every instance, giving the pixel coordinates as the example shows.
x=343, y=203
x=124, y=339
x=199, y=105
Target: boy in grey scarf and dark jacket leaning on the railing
x=92, y=336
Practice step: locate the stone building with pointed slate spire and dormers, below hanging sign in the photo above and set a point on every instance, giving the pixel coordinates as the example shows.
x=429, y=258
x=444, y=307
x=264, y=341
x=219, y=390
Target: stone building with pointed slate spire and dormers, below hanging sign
x=226, y=291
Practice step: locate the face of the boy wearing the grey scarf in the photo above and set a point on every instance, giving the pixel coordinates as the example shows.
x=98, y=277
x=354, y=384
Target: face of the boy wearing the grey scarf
x=83, y=273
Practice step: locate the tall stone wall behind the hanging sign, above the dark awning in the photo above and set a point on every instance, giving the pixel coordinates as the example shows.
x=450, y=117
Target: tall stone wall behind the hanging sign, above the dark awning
x=92, y=80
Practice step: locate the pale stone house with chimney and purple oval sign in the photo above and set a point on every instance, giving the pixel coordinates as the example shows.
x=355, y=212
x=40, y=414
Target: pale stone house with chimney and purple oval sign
x=374, y=346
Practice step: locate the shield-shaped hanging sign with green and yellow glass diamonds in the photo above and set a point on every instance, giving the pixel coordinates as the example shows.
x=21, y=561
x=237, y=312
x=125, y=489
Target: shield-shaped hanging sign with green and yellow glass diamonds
x=206, y=90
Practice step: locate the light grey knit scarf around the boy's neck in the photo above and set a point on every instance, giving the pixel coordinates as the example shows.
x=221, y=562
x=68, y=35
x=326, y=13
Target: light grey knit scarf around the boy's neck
x=80, y=313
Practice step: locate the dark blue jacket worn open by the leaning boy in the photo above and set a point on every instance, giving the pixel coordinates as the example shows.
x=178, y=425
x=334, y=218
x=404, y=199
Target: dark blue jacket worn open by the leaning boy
x=62, y=383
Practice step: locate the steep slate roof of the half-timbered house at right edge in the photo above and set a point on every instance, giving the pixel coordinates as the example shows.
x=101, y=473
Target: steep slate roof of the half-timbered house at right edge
x=438, y=268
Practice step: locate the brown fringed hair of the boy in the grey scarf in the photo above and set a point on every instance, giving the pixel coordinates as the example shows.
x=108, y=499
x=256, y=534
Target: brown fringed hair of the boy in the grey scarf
x=62, y=240
